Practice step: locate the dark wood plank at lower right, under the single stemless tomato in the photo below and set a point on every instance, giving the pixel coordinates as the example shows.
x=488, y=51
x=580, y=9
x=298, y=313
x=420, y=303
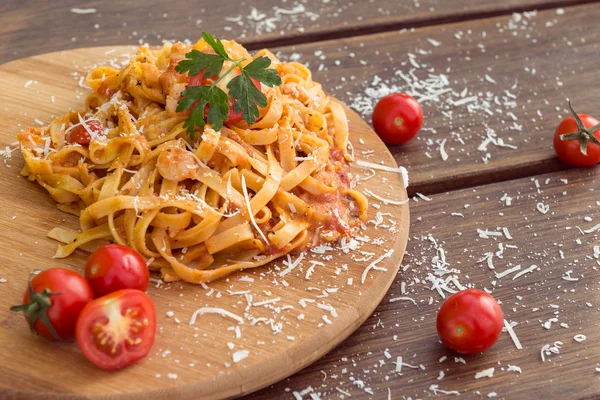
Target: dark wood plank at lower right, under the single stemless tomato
x=408, y=330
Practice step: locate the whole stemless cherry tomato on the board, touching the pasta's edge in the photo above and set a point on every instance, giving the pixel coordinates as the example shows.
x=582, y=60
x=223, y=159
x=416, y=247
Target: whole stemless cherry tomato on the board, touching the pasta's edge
x=114, y=267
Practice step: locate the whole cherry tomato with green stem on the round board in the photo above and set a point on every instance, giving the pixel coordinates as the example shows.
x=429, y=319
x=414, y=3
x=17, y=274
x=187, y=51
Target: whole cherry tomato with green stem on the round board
x=53, y=301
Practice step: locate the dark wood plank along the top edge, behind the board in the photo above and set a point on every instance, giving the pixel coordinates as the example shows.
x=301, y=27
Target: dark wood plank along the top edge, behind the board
x=33, y=26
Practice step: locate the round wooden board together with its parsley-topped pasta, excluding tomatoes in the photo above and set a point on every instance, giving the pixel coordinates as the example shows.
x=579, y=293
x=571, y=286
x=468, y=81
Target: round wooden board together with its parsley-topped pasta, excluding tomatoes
x=272, y=217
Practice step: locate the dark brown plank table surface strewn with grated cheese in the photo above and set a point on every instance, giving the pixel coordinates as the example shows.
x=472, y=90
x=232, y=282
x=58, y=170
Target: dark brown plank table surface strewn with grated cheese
x=493, y=78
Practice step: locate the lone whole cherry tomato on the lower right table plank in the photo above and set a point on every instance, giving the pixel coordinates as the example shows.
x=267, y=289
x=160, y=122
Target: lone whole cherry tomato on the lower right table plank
x=470, y=321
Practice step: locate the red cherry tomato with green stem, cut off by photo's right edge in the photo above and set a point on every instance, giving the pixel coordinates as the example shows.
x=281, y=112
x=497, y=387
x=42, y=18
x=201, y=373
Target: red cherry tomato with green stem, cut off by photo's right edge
x=569, y=150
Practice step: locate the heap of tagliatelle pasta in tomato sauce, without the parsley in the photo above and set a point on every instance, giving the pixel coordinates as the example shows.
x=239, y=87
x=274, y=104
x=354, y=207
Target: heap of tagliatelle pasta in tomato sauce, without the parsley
x=197, y=208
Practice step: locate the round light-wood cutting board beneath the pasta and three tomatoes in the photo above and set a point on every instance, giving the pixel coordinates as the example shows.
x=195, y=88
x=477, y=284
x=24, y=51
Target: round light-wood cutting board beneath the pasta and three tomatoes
x=291, y=318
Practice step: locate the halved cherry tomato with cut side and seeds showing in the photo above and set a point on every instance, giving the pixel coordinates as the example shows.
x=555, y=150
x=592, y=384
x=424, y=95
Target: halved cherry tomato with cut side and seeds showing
x=117, y=330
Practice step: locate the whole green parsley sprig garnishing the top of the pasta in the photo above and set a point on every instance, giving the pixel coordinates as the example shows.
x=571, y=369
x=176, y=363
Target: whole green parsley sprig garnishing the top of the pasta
x=246, y=96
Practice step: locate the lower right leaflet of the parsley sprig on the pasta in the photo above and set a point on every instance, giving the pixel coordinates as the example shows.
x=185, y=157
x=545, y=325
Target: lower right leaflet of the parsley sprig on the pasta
x=247, y=97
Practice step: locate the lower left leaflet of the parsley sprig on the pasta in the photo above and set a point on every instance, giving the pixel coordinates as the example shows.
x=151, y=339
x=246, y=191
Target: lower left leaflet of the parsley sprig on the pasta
x=214, y=97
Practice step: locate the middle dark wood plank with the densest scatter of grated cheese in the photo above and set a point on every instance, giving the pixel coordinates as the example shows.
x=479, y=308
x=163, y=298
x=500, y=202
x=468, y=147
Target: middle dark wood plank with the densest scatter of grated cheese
x=522, y=66
